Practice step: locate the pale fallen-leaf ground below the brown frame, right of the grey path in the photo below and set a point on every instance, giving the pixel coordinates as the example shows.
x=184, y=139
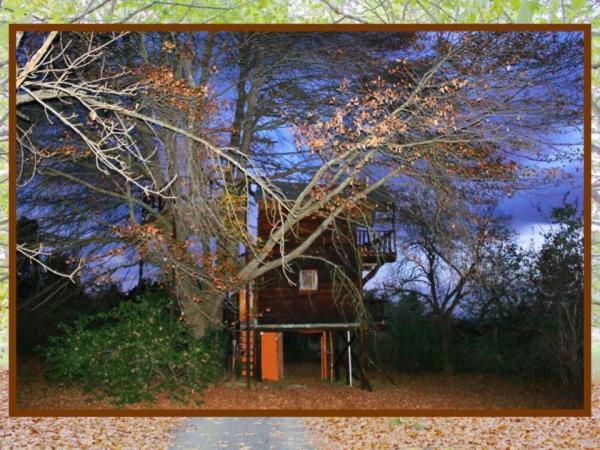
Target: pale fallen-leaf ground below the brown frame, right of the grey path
x=459, y=432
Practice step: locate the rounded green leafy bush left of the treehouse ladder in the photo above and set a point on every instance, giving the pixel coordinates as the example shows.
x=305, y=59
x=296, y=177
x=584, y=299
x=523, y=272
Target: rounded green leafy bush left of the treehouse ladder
x=136, y=350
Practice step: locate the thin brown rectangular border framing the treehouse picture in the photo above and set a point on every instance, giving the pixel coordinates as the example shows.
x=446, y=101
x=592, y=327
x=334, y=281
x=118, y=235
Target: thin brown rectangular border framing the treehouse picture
x=586, y=410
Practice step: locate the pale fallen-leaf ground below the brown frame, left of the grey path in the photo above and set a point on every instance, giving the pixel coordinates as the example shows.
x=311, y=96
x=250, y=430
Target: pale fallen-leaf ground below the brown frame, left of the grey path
x=81, y=432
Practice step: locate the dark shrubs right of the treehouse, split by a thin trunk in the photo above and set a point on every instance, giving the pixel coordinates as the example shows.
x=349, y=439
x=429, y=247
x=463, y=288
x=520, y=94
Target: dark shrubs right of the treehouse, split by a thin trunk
x=526, y=318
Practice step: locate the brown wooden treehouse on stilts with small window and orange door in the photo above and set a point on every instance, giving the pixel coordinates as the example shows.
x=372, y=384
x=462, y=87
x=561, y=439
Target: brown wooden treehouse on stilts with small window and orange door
x=319, y=293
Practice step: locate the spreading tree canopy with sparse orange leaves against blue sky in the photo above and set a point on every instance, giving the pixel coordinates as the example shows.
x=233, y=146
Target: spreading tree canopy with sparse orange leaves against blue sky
x=149, y=144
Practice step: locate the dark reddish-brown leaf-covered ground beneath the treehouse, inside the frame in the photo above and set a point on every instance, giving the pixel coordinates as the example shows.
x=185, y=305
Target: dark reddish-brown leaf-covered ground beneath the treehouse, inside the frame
x=303, y=389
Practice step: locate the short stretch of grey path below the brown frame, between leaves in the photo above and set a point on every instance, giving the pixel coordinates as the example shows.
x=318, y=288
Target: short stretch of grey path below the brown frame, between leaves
x=242, y=433
